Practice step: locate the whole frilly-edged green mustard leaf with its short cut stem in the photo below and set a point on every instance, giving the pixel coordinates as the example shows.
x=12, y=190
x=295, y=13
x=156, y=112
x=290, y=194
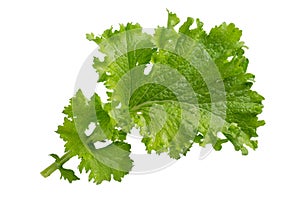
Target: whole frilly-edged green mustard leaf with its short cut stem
x=196, y=90
